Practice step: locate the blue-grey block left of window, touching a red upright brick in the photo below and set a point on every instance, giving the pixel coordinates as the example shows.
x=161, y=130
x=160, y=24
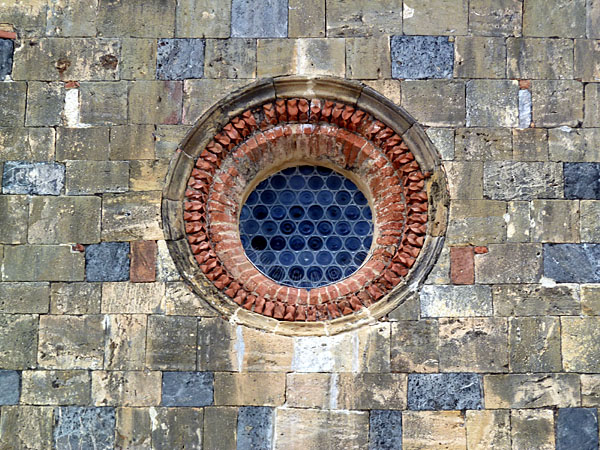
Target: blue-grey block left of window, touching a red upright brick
x=107, y=261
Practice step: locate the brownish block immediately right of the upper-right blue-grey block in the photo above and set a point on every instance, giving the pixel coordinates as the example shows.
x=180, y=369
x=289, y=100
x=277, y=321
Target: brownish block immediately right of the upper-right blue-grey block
x=479, y=57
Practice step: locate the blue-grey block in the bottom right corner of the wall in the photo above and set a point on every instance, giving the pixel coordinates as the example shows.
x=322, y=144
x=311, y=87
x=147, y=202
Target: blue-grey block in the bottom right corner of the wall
x=577, y=428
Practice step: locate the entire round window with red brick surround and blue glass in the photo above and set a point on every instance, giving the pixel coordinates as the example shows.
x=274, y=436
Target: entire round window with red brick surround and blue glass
x=305, y=206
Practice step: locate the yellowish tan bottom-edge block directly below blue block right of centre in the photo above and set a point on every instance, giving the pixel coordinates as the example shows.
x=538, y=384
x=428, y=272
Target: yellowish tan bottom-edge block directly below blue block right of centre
x=433, y=429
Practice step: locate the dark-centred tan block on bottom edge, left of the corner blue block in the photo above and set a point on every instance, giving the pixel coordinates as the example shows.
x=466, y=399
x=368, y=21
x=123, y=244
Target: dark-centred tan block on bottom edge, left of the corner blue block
x=532, y=429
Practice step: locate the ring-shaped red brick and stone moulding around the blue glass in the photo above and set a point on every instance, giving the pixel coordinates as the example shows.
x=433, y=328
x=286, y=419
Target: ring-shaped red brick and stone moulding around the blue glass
x=284, y=122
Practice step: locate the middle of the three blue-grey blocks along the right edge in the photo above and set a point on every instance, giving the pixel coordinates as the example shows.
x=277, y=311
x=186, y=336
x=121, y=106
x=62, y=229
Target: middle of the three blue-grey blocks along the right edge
x=572, y=263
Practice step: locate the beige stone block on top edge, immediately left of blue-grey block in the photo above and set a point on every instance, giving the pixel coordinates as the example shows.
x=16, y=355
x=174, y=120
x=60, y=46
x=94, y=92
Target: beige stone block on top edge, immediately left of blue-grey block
x=203, y=18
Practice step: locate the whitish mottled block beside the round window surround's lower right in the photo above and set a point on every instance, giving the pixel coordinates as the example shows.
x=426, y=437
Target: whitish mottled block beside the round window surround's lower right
x=455, y=301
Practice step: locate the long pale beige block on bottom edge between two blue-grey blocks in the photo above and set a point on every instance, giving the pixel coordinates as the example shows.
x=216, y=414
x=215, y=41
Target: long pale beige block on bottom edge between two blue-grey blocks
x=308, y=429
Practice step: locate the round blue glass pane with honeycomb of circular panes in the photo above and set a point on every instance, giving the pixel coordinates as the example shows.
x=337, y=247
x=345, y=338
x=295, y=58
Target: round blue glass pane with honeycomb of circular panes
x=306, y=227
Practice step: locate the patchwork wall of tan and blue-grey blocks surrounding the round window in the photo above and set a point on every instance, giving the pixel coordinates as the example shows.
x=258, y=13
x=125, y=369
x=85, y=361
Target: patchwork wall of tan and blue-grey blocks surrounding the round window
x=103, y=345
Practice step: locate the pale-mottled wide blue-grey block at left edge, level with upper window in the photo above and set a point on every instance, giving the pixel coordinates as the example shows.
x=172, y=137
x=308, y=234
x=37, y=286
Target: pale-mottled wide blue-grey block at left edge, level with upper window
x=33, y=178
